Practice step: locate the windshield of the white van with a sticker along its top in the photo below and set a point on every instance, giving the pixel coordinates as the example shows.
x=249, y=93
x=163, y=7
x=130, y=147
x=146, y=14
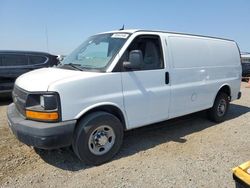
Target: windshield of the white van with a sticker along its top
x=97, y=51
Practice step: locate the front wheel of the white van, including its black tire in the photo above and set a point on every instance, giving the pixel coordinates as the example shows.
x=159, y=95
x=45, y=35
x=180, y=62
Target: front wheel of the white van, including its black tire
x=87, y=129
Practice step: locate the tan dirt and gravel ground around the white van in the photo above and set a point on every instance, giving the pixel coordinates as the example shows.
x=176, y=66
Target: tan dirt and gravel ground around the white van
x=185, y=152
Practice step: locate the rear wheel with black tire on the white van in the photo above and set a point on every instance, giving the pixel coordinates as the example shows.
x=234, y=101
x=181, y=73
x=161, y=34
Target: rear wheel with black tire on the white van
x=214, y=113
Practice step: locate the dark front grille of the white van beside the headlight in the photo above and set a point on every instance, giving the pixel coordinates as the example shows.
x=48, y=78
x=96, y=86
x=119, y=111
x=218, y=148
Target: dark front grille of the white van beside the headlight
x=19, y=98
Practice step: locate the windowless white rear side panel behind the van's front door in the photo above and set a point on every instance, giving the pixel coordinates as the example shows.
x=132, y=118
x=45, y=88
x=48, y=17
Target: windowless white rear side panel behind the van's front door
x=200, y=66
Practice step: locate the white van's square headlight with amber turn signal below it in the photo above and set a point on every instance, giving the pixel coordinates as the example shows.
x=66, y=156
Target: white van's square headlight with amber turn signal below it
x=43, y=107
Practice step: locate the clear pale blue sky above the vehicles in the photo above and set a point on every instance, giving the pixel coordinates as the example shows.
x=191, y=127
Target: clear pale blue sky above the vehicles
x=23, y=23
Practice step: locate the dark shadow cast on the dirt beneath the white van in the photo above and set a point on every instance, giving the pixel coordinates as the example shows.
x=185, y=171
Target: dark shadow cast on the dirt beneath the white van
x=144, y=138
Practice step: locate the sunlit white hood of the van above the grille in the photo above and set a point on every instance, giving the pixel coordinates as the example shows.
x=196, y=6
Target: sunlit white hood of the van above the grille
x=40, y=79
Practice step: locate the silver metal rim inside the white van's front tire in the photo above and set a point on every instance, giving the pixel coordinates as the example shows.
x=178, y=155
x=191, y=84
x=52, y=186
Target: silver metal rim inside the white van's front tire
x=101, y=140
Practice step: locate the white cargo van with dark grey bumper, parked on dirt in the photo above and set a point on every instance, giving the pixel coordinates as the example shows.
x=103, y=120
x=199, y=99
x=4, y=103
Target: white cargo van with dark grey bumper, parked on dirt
x=121, y=80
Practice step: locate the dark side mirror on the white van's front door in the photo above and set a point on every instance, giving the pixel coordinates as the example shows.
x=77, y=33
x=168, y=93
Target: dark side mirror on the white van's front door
x=135, y=60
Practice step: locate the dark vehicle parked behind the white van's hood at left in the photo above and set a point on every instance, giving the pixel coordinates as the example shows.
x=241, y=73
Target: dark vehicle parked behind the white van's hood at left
x=15, y=63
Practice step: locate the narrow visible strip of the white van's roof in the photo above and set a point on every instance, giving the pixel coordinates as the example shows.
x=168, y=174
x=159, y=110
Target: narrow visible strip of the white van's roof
x=131, y=31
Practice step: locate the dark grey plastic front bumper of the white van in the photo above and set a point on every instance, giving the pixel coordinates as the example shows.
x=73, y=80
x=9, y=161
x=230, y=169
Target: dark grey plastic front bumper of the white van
x=40, y=134
